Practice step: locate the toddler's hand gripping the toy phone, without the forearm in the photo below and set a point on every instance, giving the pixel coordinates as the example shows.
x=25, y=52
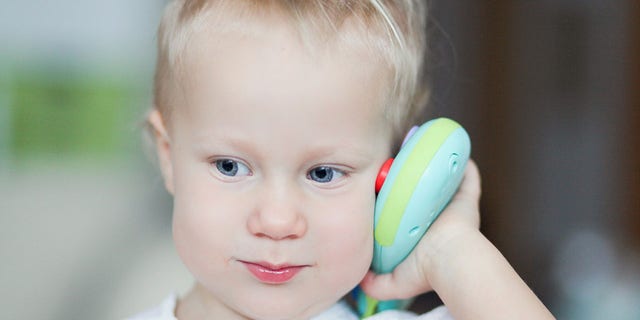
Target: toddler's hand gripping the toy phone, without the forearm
x=412, y=276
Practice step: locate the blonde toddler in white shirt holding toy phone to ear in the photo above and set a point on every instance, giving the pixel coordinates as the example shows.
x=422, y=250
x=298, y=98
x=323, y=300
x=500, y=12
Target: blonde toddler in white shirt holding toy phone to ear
x=271, y=121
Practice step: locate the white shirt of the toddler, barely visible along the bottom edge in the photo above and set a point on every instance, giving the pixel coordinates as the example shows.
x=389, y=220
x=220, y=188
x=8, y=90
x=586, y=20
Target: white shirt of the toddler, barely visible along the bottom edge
x=339, y=311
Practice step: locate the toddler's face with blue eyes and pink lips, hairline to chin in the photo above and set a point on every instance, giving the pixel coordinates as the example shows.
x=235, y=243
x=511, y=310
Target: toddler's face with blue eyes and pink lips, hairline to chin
x=272, y=165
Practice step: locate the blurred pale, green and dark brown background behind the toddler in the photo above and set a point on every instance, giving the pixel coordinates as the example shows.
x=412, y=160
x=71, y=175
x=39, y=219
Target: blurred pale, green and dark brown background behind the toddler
x=549, y=91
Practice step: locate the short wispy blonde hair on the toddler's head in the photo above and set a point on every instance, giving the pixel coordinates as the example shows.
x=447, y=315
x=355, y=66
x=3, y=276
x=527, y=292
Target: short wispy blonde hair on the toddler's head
x=394, y=30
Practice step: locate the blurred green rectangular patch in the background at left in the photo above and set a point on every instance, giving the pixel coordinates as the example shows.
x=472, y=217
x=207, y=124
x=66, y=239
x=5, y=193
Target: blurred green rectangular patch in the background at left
x=71, y=115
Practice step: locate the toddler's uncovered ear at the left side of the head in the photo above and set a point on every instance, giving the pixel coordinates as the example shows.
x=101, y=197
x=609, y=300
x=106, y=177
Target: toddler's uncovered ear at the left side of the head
x=163, y=148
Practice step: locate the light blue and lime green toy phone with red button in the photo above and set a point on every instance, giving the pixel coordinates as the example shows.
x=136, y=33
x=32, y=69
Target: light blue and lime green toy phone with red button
x=412, y=190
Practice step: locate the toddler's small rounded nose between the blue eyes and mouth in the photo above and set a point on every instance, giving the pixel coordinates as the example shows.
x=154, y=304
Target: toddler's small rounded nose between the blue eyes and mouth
x=278, y=215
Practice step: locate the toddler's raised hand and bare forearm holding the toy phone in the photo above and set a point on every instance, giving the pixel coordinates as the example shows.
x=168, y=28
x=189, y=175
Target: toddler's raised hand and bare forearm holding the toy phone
x=469, y=274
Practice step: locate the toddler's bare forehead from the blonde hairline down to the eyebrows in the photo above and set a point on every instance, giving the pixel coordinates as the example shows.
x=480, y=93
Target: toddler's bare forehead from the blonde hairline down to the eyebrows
x=253, y=85
